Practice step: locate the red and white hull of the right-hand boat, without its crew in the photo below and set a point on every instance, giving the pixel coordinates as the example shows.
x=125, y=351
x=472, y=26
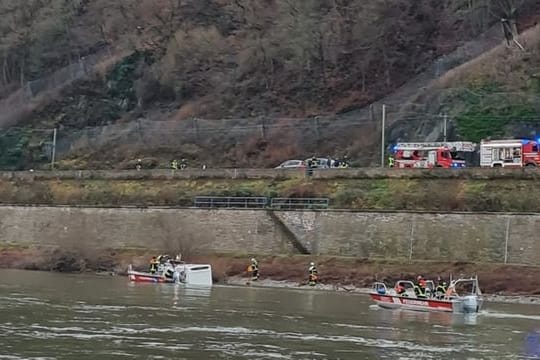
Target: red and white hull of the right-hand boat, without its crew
x=401, y=302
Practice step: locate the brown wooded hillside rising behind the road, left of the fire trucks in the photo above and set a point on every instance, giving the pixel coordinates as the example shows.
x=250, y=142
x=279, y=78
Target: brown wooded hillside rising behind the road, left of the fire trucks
x=263, y=66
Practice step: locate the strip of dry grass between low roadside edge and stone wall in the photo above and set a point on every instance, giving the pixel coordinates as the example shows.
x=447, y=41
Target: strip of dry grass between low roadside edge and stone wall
x=364, y=194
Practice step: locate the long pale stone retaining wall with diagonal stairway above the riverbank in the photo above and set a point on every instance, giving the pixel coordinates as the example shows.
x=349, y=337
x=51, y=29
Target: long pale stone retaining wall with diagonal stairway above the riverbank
x=85, y=232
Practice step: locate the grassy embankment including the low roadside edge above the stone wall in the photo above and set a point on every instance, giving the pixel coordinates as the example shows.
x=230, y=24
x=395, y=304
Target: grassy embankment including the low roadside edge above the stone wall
x=363, y=189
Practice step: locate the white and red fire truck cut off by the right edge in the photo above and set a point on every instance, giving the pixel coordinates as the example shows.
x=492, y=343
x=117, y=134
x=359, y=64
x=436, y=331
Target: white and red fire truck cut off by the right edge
x=509, y=153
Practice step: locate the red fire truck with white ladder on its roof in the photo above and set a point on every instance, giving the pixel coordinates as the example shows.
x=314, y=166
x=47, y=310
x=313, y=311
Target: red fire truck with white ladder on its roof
x=430, y=154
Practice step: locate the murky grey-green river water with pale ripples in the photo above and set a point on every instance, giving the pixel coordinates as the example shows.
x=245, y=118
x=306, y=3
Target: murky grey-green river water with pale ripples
x=59, y=316
